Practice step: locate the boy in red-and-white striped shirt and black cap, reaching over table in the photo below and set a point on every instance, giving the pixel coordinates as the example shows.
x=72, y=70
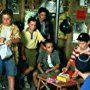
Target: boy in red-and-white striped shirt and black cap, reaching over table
x=83, y=47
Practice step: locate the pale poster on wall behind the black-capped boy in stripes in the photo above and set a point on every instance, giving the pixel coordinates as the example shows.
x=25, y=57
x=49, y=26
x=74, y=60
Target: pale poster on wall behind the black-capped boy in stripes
x=78, y=28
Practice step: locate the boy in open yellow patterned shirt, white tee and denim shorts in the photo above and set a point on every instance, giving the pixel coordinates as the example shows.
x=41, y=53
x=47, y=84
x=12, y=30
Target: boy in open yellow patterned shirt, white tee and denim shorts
x=9, y=36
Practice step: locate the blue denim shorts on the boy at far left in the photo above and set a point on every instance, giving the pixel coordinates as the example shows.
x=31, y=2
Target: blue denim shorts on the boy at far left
x=8, y=67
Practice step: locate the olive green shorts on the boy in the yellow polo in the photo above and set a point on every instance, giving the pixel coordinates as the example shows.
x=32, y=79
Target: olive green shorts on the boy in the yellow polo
x=31, y=57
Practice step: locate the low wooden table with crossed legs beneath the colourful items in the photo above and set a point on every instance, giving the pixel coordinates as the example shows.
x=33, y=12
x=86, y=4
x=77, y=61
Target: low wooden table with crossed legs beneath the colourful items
x=60, y=85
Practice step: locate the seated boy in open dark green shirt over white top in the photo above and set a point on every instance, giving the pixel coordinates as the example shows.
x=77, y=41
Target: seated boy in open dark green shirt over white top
x=48, y=61
